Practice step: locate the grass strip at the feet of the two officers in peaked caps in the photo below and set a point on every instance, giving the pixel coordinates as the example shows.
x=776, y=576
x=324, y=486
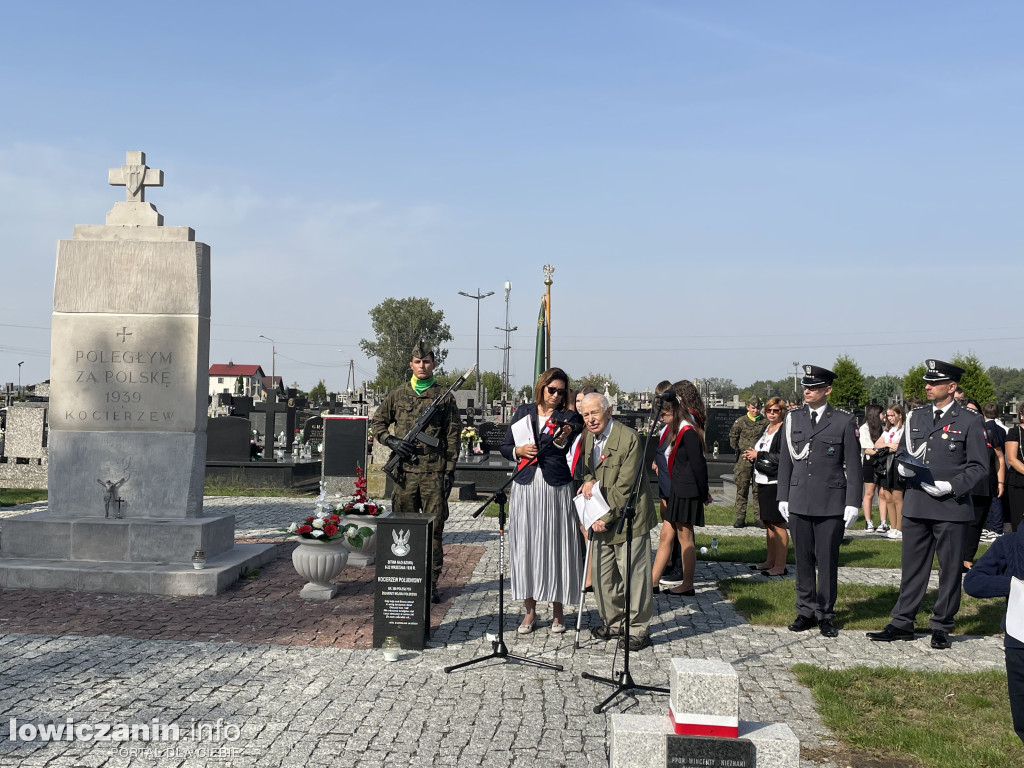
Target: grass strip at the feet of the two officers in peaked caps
x=859, y=607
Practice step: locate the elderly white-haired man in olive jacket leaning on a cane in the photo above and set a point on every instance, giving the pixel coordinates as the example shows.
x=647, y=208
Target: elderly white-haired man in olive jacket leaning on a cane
x=613, y=456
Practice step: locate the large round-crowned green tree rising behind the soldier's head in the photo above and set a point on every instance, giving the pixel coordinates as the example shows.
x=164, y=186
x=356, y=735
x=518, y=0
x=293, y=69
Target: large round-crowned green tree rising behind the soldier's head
x=399, y=325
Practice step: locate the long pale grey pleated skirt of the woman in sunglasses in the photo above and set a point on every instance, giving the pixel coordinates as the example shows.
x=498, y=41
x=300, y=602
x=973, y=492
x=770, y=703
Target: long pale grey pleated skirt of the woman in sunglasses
x=545, y=554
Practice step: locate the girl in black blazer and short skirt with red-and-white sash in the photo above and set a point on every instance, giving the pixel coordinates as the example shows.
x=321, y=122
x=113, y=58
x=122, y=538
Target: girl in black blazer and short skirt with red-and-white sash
x=690, y=490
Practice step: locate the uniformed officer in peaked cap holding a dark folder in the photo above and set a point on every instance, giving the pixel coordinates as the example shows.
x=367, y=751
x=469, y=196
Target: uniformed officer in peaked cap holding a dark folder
x=950, y=441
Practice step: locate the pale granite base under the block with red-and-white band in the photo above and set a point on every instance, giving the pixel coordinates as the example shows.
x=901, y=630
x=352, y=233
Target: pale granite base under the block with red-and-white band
x=642, y=741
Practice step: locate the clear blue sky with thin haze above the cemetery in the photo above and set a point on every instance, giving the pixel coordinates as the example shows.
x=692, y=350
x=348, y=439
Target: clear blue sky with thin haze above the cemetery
x=723, y=189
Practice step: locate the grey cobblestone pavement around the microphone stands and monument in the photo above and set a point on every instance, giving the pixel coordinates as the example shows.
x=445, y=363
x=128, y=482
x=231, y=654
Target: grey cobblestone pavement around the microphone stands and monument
x=297, y=706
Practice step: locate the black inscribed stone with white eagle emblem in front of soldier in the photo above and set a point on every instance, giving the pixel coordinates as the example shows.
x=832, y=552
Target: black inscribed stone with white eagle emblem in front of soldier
x=402, y=596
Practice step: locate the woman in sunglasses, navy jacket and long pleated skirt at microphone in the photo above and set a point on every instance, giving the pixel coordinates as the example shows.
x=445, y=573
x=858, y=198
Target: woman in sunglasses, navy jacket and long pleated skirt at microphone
x=544, y=540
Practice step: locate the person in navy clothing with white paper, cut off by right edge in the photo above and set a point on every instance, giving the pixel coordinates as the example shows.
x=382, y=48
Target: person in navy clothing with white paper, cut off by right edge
x=992, y=577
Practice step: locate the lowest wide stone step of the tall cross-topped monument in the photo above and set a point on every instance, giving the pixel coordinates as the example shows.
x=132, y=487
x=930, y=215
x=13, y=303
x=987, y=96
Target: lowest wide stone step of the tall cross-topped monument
x=136, y=578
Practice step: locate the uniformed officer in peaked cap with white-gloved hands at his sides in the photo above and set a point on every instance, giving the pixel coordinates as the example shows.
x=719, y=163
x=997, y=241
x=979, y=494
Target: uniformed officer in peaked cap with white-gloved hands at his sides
x=820, y=493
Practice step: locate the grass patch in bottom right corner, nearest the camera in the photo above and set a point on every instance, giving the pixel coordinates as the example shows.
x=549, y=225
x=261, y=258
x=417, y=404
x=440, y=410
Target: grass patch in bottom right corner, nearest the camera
x=945, y=720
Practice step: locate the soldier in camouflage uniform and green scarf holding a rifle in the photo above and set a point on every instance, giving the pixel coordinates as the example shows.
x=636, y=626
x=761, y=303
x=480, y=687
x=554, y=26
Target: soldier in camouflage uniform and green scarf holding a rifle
x=428, y=474
